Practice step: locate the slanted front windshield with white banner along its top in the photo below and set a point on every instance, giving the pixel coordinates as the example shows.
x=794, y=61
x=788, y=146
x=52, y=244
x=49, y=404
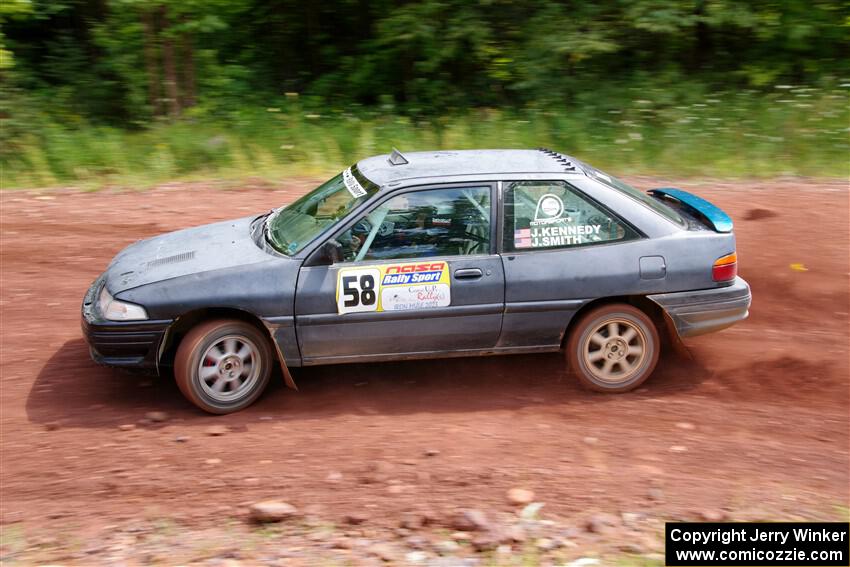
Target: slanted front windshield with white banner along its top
x=289, y=229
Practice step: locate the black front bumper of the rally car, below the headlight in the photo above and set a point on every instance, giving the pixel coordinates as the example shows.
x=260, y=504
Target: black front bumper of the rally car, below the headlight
x=128, y=344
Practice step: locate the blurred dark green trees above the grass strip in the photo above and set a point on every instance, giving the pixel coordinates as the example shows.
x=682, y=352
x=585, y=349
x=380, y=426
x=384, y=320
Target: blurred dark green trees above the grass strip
x=105, y=58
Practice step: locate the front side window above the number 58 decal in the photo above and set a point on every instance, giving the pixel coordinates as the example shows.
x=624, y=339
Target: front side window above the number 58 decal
x=421, y=224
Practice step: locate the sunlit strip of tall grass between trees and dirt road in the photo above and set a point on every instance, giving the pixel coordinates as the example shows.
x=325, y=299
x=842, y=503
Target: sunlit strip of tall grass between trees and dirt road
x=789, y=131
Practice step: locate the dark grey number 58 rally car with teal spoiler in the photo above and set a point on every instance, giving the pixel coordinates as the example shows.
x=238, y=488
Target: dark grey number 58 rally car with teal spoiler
x=430, y=254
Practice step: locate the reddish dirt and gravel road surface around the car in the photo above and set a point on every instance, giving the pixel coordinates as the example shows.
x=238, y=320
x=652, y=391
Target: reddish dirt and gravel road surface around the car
x=752, y=420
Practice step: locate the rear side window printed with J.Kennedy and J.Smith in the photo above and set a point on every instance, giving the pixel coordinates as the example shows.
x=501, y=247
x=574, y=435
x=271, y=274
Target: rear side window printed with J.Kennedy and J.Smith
x=549, y=214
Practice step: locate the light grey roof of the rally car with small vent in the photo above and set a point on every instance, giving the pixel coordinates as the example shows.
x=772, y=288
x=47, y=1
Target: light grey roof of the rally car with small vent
x=382, y=171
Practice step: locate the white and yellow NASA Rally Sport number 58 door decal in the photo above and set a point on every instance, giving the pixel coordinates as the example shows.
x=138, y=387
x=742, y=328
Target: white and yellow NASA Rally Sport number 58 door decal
x=393, y=287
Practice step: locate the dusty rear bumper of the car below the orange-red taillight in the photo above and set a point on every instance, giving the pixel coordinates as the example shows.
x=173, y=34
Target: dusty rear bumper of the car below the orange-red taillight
x=705, y=311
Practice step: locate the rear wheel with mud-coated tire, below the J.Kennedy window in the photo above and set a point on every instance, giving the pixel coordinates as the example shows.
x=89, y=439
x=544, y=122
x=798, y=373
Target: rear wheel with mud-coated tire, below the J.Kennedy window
x=613, y=348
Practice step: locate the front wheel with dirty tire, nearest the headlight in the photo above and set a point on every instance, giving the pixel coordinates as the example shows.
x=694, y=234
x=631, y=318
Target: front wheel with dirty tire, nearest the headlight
x=223, y=365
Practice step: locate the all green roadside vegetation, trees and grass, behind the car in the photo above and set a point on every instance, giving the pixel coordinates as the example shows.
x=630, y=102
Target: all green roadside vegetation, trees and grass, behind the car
x=131, y=93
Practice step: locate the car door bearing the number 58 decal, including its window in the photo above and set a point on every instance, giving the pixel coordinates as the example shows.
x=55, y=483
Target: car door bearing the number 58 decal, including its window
x=416, y=275
